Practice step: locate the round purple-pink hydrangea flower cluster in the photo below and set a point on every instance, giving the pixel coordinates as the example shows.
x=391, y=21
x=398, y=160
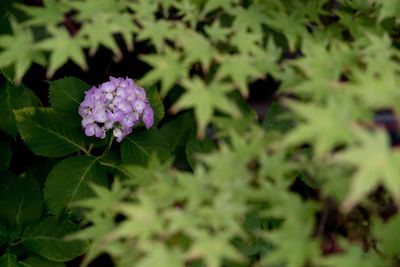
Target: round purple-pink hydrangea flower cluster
x=118, y=104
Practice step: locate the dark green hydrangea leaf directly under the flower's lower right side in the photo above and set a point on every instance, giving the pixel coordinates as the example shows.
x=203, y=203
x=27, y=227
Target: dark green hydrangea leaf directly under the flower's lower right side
x=138, y=147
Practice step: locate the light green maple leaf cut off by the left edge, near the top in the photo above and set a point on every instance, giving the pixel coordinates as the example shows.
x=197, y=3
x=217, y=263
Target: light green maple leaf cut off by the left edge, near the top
x=18, y=50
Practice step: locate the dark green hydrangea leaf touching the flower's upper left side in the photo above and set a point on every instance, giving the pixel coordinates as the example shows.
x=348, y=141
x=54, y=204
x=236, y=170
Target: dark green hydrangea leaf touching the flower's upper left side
x=65, y=97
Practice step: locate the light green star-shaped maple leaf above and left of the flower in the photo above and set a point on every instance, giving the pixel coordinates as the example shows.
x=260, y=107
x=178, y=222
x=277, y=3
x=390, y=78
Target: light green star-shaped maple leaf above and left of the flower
x=63, y=47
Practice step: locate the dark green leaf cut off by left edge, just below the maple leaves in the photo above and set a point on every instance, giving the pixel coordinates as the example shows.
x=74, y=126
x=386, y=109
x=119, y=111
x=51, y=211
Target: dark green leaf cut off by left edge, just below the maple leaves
x=13, y=97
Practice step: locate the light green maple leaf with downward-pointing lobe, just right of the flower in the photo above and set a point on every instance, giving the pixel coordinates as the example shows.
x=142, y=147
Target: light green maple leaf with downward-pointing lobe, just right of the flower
x=205, y=99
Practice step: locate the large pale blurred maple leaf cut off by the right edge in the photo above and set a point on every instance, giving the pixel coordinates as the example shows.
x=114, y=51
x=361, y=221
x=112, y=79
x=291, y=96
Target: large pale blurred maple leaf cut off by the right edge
x=375, y=162
